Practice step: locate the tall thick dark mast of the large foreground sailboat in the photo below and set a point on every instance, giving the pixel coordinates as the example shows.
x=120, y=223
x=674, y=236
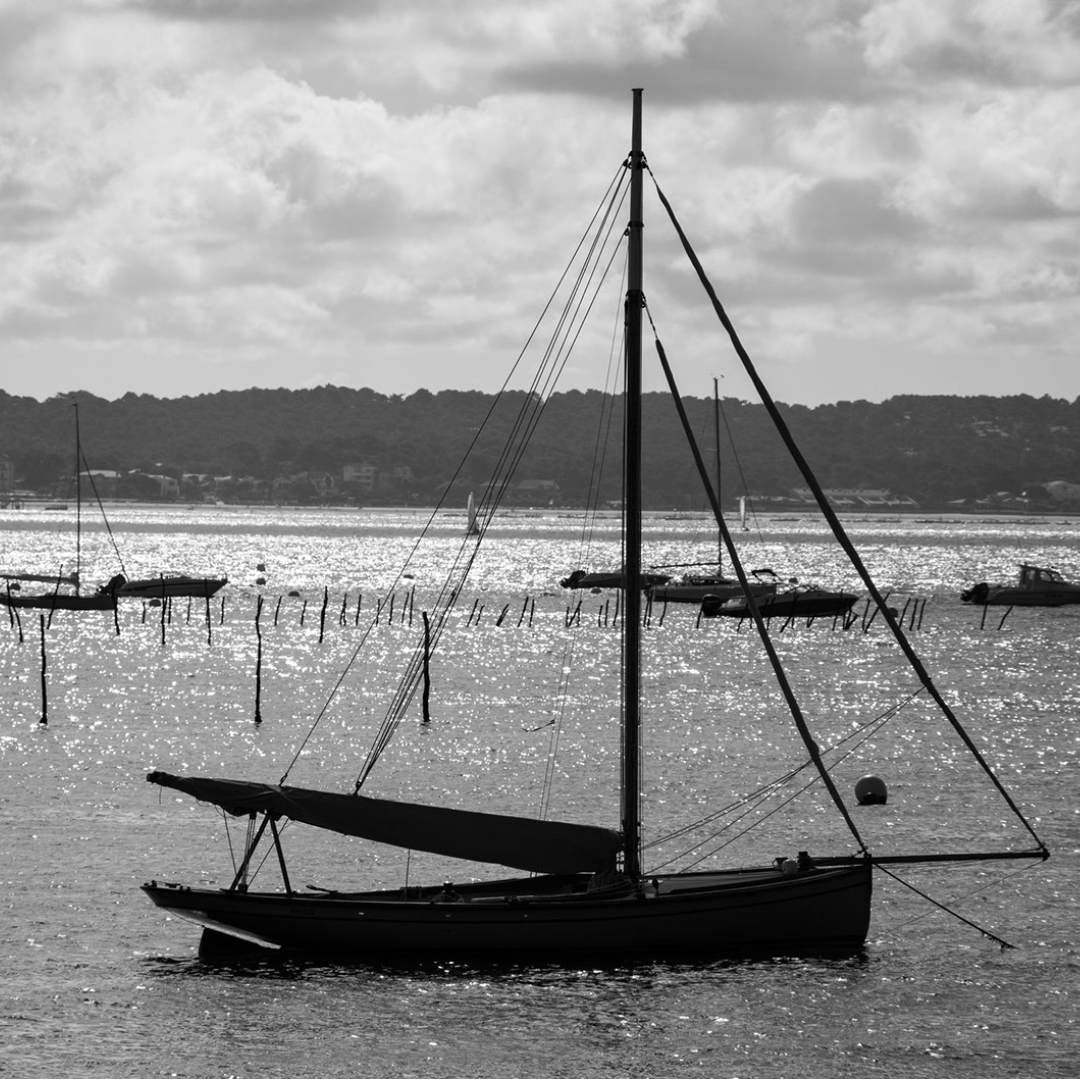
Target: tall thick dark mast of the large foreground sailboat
x=632, y=511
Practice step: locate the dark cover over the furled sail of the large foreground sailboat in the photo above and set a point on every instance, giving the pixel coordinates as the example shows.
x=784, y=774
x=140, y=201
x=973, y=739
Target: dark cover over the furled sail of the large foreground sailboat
x=541, y=847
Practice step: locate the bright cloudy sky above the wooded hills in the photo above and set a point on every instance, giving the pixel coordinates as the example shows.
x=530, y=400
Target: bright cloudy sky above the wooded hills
x=215, y=195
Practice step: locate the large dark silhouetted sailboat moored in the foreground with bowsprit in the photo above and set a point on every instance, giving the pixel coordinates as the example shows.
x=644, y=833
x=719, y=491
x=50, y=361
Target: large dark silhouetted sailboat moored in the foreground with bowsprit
x=587, y=889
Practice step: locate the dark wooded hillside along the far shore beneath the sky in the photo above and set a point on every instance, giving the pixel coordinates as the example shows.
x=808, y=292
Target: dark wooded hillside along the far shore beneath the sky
x=934, y=449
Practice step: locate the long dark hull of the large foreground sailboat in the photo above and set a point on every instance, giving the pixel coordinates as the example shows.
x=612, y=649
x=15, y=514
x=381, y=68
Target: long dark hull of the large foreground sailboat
x=741, y=912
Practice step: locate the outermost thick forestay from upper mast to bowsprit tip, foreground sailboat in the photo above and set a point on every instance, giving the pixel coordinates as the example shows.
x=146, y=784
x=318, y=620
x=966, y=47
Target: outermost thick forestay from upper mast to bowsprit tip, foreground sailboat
x=834, y=522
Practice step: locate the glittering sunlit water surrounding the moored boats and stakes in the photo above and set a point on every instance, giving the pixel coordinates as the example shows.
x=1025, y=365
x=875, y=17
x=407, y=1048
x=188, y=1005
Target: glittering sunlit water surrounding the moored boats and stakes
x=97, y=982
